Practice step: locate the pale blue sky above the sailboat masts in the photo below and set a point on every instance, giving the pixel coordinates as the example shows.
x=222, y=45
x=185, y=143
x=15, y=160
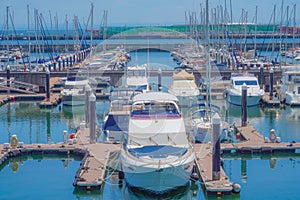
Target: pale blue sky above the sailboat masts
x=136, y=12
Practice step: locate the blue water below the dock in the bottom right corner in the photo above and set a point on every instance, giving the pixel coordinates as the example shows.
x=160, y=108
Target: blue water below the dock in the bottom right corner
x=262, y=173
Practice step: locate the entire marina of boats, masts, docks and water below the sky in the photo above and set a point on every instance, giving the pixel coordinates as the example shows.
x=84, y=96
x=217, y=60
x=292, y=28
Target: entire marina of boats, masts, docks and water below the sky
x=201, y=110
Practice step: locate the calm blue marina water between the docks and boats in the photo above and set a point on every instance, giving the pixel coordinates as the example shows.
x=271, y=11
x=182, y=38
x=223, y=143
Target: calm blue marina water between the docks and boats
x=33, y=125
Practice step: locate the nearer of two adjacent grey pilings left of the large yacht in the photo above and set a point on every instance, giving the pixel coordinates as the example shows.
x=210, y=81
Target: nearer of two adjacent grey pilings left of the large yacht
x=92, y=101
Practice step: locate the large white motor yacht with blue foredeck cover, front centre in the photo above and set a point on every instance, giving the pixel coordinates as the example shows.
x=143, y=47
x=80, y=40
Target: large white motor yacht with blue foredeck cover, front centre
x=156, y=154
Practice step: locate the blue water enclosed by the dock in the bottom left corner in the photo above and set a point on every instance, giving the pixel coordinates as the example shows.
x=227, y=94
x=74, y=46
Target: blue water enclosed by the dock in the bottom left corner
x=32, y=180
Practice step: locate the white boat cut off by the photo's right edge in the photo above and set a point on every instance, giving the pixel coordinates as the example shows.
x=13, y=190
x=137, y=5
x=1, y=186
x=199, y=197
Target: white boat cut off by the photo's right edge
x=290, y=87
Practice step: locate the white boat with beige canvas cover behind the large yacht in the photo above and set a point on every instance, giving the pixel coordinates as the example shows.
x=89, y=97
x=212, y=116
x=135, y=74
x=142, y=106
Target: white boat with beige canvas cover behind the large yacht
x=183, y=85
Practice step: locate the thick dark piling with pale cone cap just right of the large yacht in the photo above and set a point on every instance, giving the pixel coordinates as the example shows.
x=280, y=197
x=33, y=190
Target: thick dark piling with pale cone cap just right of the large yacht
x=216, y=157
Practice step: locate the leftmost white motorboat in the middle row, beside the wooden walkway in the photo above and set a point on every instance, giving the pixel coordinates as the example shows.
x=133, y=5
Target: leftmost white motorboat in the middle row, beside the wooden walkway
x=73, y=93
